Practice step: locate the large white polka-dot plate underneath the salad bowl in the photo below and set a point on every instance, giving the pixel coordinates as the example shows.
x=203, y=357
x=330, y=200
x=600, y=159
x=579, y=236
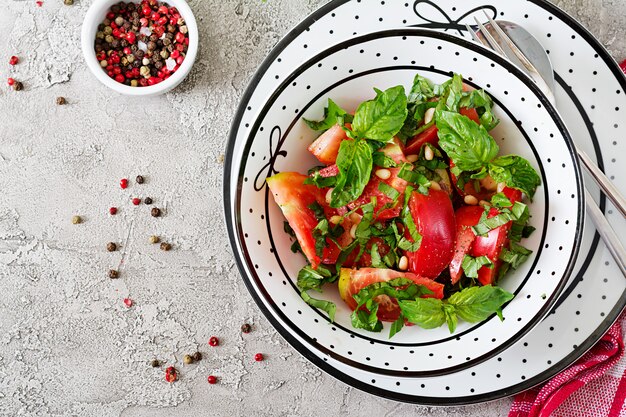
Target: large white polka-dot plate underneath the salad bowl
x=590, y=90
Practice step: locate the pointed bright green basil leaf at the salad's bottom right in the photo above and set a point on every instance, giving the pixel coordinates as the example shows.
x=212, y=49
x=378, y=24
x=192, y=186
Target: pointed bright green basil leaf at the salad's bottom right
x=475, y=304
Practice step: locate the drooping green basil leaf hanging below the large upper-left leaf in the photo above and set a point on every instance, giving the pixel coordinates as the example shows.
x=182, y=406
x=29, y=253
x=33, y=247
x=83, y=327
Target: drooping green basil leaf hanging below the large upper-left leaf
x=355, y=166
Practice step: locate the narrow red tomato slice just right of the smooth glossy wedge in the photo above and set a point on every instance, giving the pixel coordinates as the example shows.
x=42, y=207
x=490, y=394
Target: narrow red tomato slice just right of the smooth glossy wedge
x=466, y=217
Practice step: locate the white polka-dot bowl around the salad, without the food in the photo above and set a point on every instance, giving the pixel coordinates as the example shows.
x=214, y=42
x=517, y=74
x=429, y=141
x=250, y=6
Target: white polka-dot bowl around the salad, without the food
x=347, y=72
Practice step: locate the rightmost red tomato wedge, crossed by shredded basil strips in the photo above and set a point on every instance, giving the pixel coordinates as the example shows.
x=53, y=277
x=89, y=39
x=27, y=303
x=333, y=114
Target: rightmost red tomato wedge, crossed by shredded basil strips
x=492, y=244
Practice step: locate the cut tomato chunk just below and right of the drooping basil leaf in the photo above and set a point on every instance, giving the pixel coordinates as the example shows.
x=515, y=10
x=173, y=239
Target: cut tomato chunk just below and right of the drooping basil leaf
x=372, y=190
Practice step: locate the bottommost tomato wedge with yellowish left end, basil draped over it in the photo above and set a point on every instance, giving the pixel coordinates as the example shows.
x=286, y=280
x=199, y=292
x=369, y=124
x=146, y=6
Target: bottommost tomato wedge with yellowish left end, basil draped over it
x=351, y=281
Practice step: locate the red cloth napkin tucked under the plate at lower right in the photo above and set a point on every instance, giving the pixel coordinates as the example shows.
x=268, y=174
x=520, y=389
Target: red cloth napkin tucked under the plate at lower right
x=595, y=386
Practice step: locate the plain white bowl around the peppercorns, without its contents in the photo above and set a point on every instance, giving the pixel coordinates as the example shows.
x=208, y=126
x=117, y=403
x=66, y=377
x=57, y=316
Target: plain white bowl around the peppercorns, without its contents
x=97, y=13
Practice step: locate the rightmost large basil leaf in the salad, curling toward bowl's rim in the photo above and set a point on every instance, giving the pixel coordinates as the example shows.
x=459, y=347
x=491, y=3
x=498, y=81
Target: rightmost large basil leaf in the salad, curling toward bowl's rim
x=516, y=172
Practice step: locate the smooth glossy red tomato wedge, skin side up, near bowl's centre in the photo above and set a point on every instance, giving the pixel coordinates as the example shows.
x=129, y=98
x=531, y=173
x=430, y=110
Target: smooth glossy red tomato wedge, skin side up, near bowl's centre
x=433, y=216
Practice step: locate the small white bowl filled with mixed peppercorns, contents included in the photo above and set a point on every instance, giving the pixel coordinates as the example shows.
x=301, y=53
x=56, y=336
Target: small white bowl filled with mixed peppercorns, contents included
x=140, y=48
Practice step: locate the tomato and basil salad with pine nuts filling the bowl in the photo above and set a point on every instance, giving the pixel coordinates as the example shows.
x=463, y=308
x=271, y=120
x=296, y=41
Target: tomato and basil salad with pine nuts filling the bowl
x=413, y=214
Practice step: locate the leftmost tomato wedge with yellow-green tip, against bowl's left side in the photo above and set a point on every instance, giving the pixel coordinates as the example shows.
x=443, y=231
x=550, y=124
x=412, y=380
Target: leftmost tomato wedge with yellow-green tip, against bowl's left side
x=294, y=198
